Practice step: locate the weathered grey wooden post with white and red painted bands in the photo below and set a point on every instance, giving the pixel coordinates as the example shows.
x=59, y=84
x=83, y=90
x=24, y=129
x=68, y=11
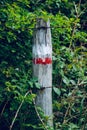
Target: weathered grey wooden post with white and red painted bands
x=42, y=66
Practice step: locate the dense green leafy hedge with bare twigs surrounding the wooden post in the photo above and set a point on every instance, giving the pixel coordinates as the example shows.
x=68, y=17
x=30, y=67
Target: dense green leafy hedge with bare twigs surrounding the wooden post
x=17, y=87
